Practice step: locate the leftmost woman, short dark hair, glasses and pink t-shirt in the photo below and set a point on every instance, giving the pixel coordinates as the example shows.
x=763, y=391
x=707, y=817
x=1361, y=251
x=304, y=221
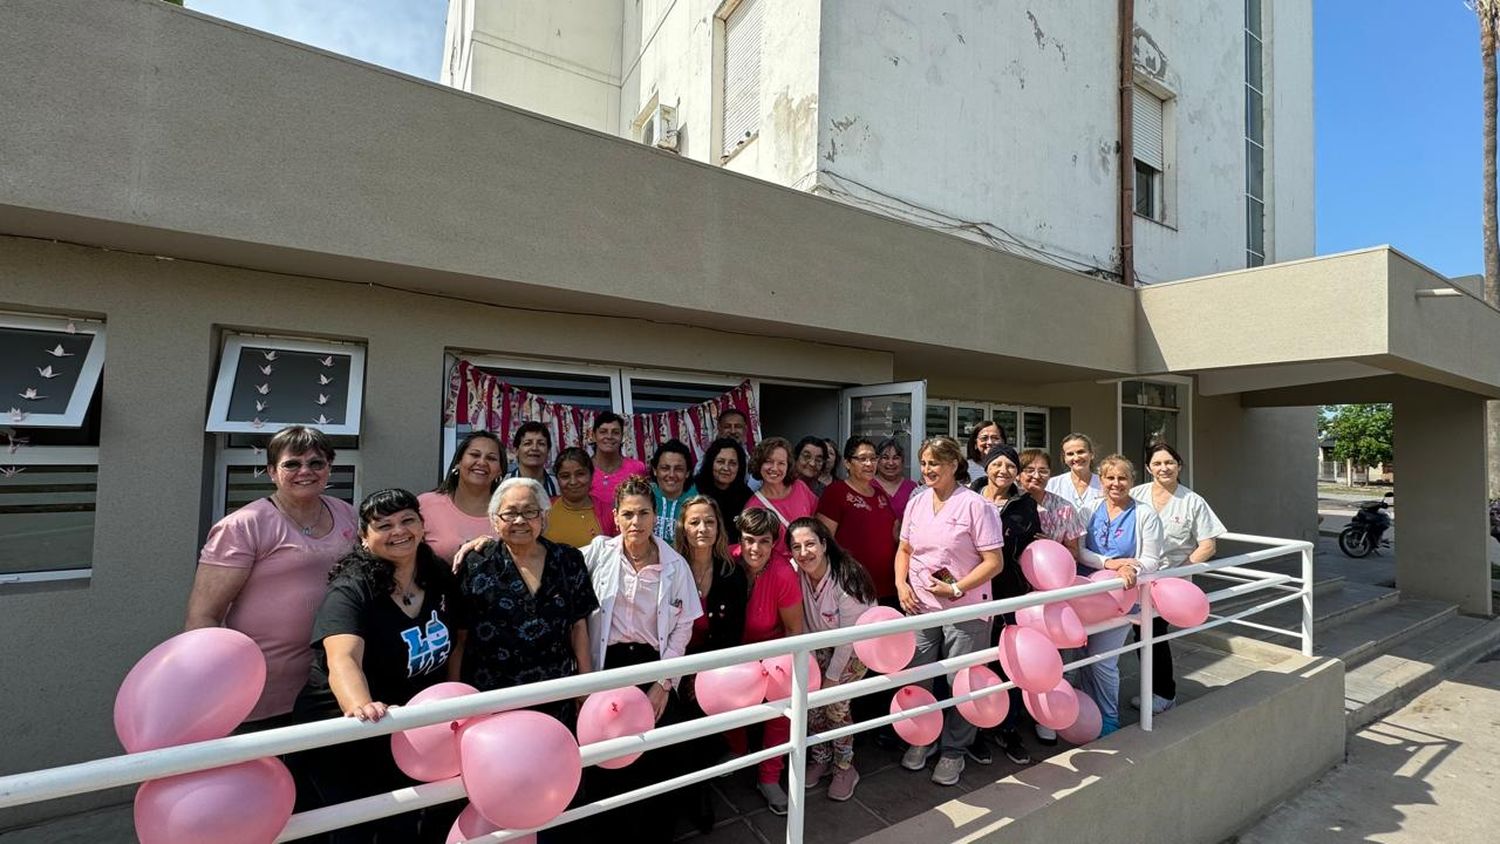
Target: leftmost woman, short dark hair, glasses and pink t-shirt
x=266, y=566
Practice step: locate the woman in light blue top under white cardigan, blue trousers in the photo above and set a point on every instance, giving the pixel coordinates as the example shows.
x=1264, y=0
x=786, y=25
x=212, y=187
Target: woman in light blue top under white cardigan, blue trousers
x=1126, y=539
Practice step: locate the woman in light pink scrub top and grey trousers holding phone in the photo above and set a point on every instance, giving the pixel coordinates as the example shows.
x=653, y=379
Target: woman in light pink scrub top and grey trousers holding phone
x=950, y=552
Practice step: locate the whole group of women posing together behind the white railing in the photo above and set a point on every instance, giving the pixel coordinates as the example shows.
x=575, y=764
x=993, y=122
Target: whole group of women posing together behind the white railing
x=499, y=581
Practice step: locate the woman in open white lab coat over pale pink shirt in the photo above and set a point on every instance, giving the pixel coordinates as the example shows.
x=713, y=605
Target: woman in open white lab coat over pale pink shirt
x=647, y=606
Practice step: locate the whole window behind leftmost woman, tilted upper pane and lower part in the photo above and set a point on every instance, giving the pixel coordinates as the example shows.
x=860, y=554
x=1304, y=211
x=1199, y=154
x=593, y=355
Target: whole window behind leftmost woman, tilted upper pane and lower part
x=269, y=383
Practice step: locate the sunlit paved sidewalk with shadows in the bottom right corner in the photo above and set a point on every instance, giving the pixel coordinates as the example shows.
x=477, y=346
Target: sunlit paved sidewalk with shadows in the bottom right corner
x=1426, y=774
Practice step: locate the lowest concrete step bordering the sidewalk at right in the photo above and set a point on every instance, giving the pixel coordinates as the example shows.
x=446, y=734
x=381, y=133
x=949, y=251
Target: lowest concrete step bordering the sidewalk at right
x=1393, y=680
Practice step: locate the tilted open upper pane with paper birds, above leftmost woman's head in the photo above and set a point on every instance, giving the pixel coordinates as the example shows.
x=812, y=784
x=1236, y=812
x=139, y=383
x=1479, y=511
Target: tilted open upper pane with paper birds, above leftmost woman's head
x=271, y=383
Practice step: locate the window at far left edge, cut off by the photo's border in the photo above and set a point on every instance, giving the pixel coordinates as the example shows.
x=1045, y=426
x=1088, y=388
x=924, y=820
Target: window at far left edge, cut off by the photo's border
x=52, y=370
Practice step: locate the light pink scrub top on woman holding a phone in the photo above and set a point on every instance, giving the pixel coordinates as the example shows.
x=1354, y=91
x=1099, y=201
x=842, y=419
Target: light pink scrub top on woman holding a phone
x=953, y=537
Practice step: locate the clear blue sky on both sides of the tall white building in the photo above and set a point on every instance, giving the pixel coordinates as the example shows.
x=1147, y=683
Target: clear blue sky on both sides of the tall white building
x=1397, y=98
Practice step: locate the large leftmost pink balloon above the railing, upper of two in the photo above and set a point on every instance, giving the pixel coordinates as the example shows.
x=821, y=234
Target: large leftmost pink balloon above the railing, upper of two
x=194, y=687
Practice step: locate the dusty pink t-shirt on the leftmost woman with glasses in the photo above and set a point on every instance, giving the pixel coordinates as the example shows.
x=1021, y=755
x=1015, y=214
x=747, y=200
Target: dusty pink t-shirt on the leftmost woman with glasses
x=289, y=578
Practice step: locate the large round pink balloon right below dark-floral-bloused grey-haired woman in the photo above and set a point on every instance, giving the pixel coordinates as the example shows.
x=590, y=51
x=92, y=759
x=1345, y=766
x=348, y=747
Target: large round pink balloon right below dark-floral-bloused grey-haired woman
x=520, y=768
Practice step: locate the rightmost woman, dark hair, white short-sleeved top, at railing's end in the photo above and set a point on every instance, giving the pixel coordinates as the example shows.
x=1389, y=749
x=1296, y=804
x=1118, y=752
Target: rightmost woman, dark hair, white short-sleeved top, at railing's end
x=1190, y=530
